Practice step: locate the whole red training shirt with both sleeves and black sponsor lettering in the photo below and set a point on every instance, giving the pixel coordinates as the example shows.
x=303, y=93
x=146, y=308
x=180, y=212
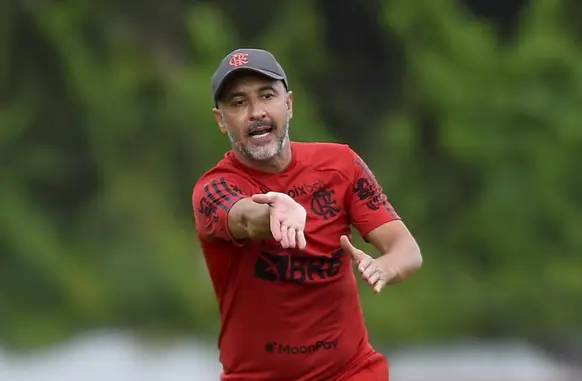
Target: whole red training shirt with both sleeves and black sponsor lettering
x=290, y=314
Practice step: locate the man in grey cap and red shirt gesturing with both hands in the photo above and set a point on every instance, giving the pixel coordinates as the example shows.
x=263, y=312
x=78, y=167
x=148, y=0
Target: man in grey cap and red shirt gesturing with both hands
x=273, y=218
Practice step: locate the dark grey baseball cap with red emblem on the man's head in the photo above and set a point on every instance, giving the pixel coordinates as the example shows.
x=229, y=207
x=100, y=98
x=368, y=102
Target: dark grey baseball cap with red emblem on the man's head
x=255, y=60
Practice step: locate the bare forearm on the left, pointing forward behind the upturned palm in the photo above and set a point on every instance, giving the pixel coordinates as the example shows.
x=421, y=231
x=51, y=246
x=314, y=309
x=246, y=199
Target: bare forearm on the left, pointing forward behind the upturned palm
x=248, y=219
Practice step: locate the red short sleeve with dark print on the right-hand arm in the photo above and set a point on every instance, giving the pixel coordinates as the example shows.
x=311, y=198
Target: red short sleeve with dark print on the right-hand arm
x=369, y=207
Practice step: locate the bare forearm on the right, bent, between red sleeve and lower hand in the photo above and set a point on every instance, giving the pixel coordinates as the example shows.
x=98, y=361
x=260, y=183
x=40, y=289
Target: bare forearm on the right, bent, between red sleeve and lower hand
x=402, y=259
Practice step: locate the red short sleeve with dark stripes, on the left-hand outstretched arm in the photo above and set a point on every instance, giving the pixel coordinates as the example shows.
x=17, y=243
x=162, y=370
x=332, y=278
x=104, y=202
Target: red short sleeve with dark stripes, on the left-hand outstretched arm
x=212, y=198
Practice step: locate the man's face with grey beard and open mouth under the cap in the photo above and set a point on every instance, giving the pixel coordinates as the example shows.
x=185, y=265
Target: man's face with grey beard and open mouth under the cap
x=254, y=111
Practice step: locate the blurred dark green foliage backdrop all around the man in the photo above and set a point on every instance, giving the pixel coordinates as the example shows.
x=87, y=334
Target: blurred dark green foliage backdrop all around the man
x=467, y=111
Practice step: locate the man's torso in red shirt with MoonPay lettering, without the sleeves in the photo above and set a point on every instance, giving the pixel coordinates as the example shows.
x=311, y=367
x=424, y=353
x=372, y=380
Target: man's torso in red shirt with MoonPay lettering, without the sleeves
x=287, y=314
